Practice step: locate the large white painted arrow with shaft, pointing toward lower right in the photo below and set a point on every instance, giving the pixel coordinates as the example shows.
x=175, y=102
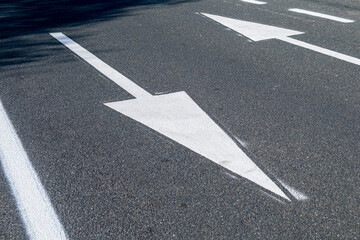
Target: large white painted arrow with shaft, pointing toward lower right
x=179, y=118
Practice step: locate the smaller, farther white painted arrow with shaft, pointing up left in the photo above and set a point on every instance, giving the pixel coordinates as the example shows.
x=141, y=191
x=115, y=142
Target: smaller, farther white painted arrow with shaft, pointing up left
x=258, y=32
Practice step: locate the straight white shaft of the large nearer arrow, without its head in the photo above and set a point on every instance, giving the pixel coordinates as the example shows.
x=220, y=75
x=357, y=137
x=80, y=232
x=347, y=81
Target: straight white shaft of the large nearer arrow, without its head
x=105, y=69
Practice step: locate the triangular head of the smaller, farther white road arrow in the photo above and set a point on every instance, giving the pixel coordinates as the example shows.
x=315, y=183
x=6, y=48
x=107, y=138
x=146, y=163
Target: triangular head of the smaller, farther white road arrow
x=253, y=31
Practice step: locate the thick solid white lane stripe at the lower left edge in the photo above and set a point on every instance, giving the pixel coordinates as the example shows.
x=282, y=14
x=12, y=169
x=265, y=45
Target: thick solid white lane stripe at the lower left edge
x=38, y=215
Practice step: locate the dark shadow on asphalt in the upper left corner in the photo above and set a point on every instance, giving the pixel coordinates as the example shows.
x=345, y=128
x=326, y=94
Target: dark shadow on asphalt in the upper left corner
x=21, y=18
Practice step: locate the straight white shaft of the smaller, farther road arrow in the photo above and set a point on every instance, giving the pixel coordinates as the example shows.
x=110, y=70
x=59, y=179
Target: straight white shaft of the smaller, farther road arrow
x=321, y=50
